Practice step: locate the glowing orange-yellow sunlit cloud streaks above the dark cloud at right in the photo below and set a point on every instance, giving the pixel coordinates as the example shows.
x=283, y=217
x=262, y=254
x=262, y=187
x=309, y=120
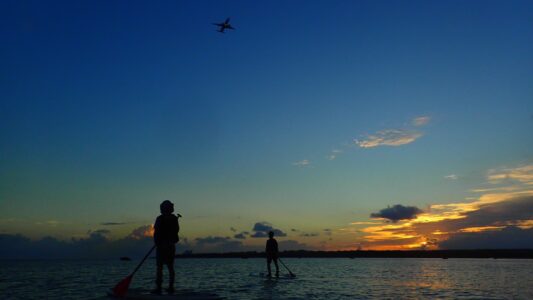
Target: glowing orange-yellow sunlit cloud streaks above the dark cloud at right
x=501, y=208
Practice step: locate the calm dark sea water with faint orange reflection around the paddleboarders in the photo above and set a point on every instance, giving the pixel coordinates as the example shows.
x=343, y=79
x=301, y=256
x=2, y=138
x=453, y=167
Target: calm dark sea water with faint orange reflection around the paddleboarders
x=370, y=278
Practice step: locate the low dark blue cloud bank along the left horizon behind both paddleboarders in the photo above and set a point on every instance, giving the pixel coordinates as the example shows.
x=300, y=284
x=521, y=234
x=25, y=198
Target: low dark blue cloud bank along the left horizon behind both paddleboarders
x=97, y=244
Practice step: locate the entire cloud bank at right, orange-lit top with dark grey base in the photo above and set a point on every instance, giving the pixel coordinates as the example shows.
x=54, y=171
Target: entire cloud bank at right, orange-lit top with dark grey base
x=503, y=215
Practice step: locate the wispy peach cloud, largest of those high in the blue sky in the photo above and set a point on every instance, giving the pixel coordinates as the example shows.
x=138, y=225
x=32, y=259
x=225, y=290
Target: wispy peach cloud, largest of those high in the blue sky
x=389, y=137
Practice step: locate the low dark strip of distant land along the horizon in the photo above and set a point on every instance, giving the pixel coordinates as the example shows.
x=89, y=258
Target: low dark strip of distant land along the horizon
x=444, y=254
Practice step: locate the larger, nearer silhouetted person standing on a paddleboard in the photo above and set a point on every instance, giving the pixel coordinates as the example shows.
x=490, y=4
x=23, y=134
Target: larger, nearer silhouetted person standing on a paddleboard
x=166, y=230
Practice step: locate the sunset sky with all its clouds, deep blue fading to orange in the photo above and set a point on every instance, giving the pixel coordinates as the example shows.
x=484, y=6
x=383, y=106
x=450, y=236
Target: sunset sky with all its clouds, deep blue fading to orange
x=339, y=124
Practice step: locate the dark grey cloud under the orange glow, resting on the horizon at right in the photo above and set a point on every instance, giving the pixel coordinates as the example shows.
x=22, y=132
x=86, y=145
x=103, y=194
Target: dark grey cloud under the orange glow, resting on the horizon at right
x=508, y=238
